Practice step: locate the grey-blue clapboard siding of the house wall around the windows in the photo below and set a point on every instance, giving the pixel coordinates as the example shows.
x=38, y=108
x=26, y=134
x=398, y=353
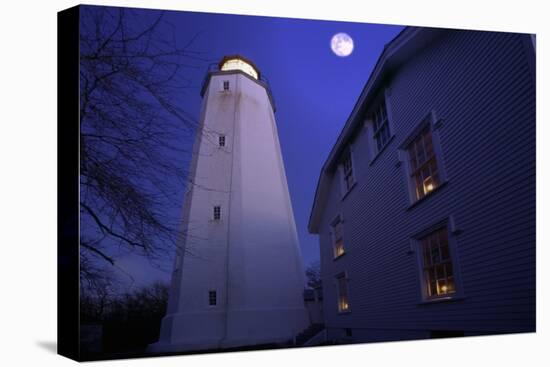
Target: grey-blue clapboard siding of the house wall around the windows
x=481, y=85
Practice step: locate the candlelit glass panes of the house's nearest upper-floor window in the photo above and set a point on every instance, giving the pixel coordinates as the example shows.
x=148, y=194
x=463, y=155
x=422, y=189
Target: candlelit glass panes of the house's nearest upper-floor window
x=423, y=165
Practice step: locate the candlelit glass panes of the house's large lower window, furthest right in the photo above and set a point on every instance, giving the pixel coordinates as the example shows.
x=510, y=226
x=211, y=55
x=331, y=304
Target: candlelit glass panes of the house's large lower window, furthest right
x=437, y=267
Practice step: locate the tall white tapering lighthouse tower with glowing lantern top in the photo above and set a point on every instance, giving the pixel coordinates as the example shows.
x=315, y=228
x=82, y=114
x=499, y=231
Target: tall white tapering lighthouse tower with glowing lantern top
x=238, y=278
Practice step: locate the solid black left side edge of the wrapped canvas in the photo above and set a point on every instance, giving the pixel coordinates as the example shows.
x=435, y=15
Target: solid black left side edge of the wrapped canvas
x=67, y=183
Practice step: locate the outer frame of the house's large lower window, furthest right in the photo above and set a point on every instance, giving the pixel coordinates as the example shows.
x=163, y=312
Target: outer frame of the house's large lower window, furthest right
x=416, y=244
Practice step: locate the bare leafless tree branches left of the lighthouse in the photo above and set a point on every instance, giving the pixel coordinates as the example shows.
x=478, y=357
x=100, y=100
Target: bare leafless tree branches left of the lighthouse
x=133, y=133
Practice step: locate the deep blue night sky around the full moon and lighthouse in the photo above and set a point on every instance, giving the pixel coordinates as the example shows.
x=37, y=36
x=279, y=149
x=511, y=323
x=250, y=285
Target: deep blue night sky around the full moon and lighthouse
x=314, y=92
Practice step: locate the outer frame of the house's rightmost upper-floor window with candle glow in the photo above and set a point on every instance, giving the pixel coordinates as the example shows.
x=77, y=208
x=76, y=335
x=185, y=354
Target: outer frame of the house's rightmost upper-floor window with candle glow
x=431, y=121
